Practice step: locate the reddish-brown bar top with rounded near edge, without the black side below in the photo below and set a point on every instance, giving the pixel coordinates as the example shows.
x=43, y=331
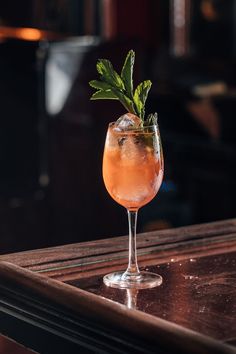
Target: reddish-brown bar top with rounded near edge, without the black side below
x=193, y=310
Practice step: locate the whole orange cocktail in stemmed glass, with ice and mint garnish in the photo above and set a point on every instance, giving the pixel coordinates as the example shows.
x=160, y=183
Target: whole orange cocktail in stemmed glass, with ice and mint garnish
x=132, y=160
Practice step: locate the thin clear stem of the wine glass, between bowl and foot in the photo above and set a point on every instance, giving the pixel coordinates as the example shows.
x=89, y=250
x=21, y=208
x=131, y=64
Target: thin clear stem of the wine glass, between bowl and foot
x=132, y=269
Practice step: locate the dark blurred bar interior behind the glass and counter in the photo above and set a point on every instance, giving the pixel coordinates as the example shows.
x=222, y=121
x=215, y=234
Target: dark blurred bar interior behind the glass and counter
x=52, y=136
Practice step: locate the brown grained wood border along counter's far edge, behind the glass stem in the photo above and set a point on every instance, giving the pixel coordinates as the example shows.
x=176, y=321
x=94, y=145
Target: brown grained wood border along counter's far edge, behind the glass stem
x=113, y=249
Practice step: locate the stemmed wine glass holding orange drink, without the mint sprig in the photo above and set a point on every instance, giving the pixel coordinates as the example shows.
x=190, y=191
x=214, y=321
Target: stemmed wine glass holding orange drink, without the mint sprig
x=133, y=171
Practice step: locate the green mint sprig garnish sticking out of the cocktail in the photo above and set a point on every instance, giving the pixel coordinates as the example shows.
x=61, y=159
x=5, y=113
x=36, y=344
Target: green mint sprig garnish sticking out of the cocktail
x=113, y=86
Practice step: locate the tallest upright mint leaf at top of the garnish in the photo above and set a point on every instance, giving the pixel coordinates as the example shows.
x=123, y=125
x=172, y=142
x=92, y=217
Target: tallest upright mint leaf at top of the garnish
x=127, y=73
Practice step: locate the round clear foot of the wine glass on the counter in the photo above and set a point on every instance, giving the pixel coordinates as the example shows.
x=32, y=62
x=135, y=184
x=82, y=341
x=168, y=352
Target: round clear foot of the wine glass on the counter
x=143, y=280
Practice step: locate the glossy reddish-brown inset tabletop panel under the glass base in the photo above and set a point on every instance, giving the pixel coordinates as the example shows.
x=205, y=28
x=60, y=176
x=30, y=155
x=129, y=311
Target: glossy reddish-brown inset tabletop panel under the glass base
x=197, y=293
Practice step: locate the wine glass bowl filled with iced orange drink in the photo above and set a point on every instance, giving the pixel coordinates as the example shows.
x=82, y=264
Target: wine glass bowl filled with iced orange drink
x=132, y=166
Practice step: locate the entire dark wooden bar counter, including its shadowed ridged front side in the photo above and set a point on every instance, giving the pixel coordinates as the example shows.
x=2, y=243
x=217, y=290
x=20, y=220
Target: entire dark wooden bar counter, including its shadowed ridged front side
x=53, y=300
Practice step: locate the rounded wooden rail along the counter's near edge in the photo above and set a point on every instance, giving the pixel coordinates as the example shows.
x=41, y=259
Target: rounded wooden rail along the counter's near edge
x=111, y=313
